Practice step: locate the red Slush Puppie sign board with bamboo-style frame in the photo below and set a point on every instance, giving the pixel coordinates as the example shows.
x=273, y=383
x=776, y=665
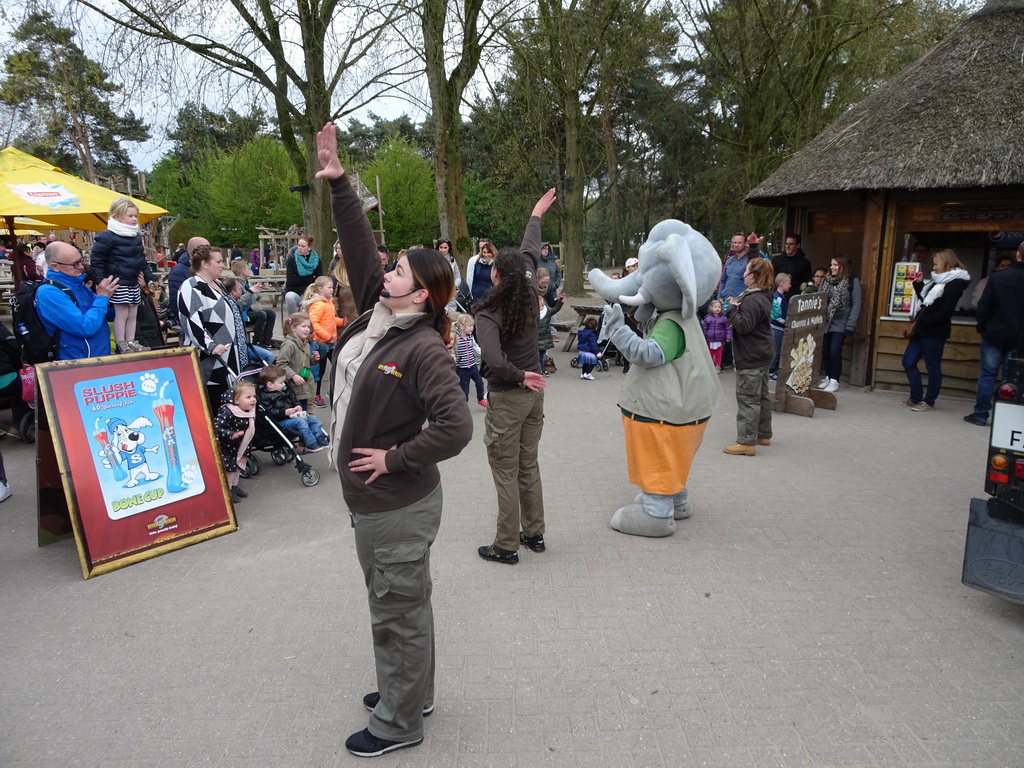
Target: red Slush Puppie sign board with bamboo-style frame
x=138, y=456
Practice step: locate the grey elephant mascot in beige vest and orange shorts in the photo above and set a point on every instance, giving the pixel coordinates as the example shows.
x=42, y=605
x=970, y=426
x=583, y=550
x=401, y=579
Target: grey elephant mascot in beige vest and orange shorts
x=672, y=388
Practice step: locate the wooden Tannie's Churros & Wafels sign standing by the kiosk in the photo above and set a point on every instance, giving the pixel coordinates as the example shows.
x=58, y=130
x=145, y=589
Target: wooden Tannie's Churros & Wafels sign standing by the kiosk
x=801, y=360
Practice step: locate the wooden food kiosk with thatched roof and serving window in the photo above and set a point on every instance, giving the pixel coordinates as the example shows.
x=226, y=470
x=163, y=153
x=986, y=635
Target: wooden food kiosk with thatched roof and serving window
x=936, y=157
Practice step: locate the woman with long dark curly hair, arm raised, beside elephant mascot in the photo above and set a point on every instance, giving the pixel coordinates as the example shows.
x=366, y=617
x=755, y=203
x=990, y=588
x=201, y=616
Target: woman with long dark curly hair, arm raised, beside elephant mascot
x=506, y=331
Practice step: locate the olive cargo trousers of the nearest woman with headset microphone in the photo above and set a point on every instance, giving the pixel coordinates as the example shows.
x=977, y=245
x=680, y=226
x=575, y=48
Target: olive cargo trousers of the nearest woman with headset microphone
x=395, y=552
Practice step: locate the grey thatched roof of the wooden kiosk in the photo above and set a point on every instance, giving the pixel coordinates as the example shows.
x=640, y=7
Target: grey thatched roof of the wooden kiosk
x=954, y=119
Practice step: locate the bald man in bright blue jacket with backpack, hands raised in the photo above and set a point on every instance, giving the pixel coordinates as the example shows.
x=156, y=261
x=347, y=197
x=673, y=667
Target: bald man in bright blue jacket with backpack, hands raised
x=82, y=322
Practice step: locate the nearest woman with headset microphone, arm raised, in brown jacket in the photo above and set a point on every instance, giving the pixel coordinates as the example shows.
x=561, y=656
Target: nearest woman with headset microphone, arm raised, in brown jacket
x=394, y=375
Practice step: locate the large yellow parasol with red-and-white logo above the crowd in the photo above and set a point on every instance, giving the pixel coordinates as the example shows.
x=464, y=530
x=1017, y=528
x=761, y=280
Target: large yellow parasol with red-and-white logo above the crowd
x=31, y=188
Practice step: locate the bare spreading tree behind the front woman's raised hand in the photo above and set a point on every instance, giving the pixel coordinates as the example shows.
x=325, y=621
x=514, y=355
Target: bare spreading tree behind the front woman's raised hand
x=316, y=62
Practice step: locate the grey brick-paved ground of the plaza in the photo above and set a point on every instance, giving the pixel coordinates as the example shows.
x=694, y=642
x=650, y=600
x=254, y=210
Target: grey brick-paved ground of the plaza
x=810, y=614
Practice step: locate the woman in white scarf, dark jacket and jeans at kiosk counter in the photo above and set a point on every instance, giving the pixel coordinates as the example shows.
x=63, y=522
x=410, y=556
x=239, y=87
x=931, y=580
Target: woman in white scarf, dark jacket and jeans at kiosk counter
x=932, y=327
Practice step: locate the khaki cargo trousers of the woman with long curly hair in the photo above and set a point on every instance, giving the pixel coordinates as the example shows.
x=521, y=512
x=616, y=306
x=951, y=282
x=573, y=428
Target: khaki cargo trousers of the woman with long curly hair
x=513, y=435
